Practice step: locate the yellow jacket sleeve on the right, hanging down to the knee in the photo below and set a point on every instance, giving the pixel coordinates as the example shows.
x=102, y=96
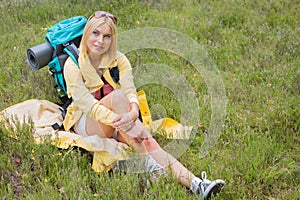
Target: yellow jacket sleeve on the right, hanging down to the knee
x=126, y=79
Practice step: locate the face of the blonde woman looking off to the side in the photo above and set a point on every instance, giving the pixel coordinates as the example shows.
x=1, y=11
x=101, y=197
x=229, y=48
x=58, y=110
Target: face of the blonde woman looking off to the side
x=100, y=39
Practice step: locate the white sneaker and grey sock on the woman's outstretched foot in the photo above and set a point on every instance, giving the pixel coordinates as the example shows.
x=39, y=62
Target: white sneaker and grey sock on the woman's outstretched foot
x=205, y=187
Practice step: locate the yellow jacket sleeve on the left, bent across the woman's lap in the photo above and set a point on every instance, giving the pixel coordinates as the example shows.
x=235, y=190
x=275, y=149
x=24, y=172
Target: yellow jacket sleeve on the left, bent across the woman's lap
x=82, y=98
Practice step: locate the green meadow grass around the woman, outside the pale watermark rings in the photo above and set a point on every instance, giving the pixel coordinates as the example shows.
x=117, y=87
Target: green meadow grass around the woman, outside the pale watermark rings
x=255, y=45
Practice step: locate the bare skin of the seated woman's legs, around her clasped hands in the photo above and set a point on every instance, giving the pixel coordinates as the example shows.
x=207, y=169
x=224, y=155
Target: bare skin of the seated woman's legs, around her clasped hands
x=119, y=103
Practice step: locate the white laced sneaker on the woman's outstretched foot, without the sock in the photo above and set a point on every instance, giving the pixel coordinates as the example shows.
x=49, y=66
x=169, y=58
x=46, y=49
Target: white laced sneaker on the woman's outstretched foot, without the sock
x=209, y=188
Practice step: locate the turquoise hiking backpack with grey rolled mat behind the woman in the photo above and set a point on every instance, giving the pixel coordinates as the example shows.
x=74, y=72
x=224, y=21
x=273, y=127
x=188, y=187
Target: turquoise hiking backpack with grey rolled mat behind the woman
x=62, y=41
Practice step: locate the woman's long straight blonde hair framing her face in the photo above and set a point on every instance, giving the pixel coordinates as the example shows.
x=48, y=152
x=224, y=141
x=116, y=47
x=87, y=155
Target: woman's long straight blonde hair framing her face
x=91, y=25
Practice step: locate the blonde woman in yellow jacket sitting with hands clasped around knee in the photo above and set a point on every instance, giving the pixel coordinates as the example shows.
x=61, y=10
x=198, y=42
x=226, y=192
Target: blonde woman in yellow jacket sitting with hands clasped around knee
x=115, y=114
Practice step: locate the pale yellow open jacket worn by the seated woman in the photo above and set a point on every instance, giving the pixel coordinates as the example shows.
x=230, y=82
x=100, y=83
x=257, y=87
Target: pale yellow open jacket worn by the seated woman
x=83, y=81
